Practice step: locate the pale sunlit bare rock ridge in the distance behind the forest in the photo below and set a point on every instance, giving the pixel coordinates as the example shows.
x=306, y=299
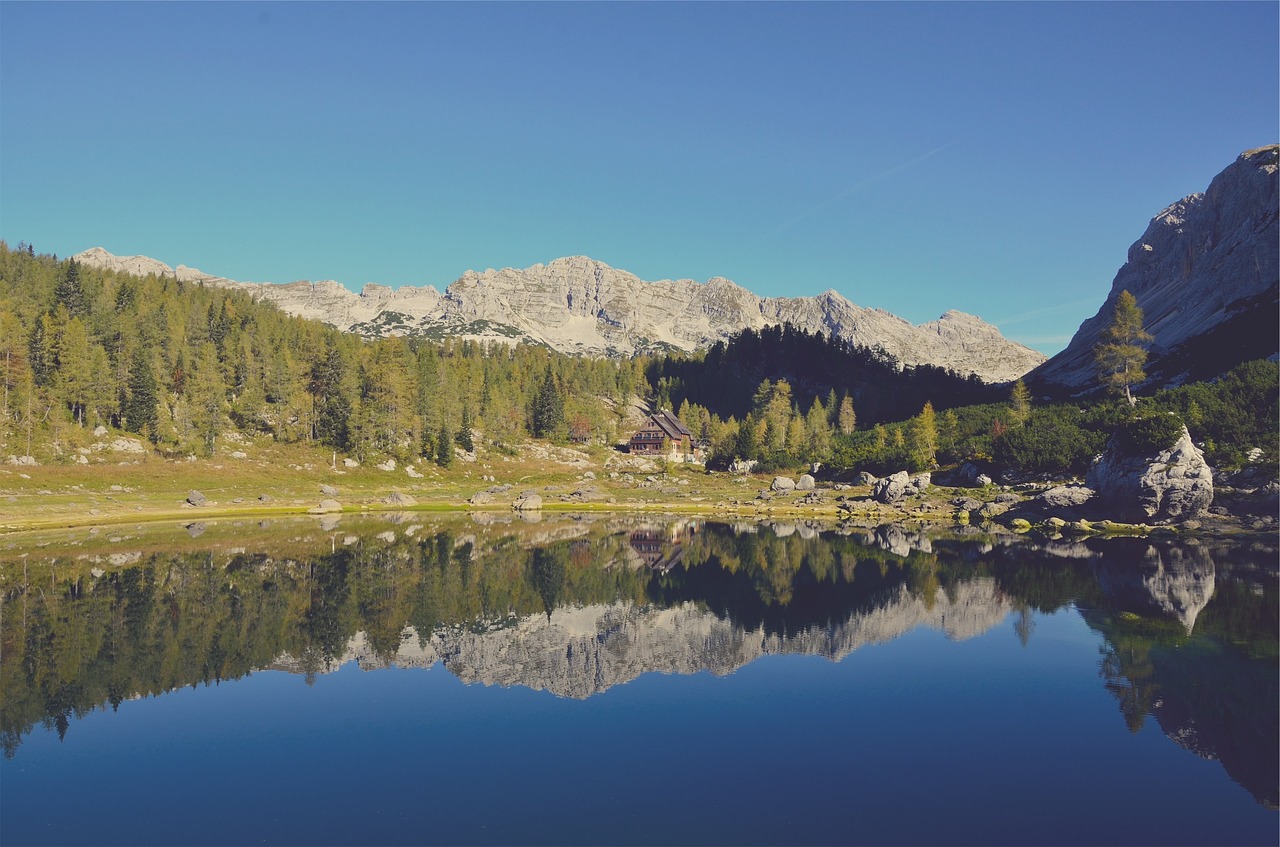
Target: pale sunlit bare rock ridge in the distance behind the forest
x=578, y=305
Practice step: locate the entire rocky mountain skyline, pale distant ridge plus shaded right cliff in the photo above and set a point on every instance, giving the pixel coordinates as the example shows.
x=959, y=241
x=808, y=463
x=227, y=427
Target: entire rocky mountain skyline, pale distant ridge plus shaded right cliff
x=1206, y=274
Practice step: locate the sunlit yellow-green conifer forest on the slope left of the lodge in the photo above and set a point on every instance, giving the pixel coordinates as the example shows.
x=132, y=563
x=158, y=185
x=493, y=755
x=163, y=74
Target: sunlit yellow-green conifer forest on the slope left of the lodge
x=181, y=365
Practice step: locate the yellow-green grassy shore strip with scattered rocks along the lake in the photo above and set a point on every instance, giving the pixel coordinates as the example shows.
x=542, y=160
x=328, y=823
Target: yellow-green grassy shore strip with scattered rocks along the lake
x=291, y=482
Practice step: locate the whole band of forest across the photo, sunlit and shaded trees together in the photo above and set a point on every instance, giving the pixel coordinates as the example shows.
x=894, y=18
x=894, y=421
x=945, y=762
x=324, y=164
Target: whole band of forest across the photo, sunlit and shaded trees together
x=185, y=367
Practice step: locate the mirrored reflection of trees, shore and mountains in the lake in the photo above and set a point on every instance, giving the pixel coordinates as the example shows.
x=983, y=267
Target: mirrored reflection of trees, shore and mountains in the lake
x=578, y=607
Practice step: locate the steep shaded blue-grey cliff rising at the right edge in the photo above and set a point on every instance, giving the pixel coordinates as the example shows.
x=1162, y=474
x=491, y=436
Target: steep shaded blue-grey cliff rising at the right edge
x=1205, y=274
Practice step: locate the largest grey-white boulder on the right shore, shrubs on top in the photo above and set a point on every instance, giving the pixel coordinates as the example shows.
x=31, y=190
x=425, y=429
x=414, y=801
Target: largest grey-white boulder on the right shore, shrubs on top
x=1171, y=486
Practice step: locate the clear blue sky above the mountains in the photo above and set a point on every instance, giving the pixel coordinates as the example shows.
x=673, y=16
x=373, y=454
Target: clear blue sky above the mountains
x=994, y=158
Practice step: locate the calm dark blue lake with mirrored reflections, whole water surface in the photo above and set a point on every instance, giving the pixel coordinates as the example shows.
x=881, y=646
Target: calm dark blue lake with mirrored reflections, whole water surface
x=633, y=681
